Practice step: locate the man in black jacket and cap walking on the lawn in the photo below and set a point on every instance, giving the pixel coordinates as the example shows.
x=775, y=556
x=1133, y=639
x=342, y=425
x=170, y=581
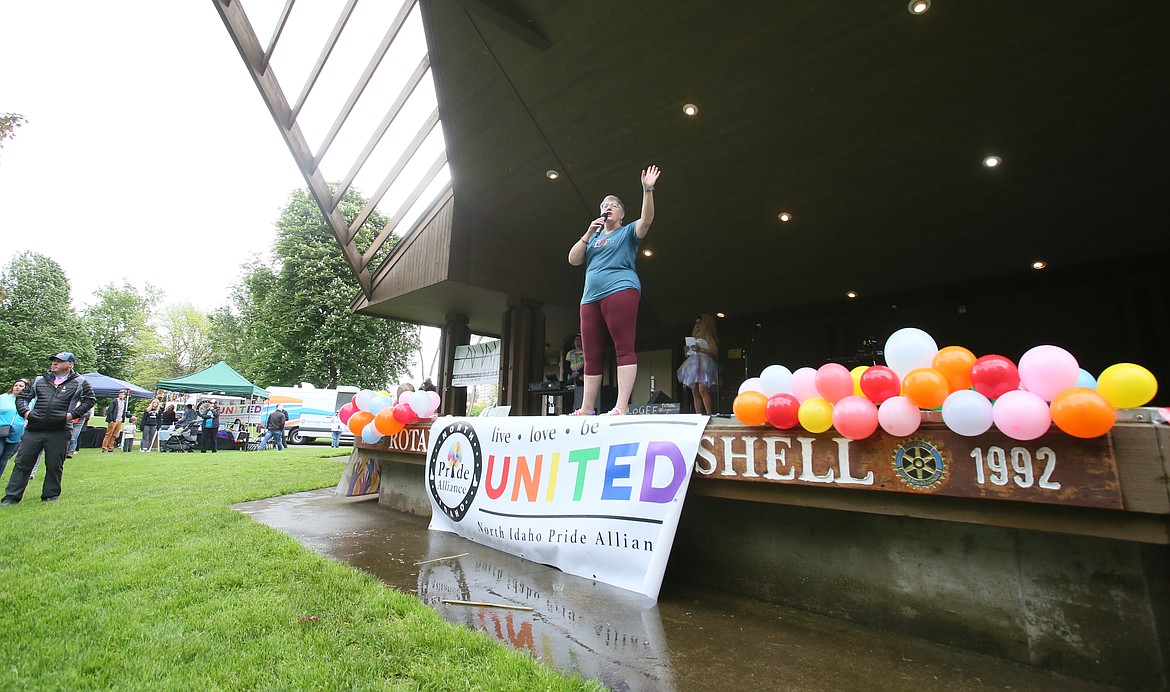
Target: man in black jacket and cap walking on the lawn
x=63, y=396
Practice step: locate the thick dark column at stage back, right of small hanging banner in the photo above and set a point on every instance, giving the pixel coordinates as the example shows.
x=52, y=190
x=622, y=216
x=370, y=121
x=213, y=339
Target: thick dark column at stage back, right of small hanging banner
x=522, y=357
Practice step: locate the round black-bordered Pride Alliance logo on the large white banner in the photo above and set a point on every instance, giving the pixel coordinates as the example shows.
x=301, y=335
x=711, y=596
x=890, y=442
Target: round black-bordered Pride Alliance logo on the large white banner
x=455, y=470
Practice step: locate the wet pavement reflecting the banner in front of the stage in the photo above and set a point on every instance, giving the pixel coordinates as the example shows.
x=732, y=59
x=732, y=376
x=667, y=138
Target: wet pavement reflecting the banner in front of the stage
x=689, y=640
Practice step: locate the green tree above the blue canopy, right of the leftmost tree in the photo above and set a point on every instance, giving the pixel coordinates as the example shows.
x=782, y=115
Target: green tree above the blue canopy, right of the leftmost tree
x=120, y=326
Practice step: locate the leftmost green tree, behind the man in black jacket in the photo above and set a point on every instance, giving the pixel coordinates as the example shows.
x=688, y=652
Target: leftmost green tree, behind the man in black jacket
x=37, y=319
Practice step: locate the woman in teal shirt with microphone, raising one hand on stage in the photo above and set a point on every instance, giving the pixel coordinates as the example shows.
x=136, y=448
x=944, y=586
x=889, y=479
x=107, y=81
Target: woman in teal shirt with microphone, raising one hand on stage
x=609, y=250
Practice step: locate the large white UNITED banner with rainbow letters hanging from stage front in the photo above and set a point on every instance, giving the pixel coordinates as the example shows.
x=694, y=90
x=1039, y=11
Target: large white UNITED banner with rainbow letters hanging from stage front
x=597, y=497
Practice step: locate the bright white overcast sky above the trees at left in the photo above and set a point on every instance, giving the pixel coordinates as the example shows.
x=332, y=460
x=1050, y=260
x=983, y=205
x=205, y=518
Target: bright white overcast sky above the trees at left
x=148, y=154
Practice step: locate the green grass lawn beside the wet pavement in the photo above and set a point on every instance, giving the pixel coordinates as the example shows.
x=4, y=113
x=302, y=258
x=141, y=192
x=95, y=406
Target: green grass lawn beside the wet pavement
x=144, y=577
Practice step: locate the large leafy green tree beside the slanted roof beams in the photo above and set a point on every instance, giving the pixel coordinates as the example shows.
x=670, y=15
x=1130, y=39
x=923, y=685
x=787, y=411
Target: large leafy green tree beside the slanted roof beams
x=295, y=321
